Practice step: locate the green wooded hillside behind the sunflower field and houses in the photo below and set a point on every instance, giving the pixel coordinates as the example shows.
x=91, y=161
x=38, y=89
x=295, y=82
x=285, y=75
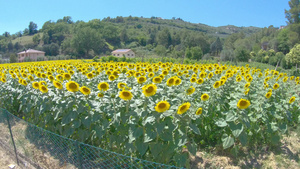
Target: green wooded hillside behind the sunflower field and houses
x=154, y=37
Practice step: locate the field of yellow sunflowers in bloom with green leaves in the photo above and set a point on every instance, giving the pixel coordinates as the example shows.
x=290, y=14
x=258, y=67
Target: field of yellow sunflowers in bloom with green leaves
x=161, y=112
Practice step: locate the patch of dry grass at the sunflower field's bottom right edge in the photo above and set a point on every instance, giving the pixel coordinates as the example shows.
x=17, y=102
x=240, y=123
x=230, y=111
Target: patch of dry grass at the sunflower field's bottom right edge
x=285, y=156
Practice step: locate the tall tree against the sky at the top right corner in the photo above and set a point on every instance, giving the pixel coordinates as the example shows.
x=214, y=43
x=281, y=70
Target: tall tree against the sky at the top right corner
x=293, y=14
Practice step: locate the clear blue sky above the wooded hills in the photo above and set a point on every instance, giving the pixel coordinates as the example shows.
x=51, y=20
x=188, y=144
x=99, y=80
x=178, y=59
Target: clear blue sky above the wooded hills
x=15, y=15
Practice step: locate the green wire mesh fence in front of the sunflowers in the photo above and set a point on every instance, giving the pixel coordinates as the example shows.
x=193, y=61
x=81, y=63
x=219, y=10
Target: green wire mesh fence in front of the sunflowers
x=32, y=145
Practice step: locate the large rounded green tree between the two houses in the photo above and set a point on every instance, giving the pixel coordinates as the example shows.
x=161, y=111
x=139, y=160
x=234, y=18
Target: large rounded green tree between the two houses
x=86, y=39
